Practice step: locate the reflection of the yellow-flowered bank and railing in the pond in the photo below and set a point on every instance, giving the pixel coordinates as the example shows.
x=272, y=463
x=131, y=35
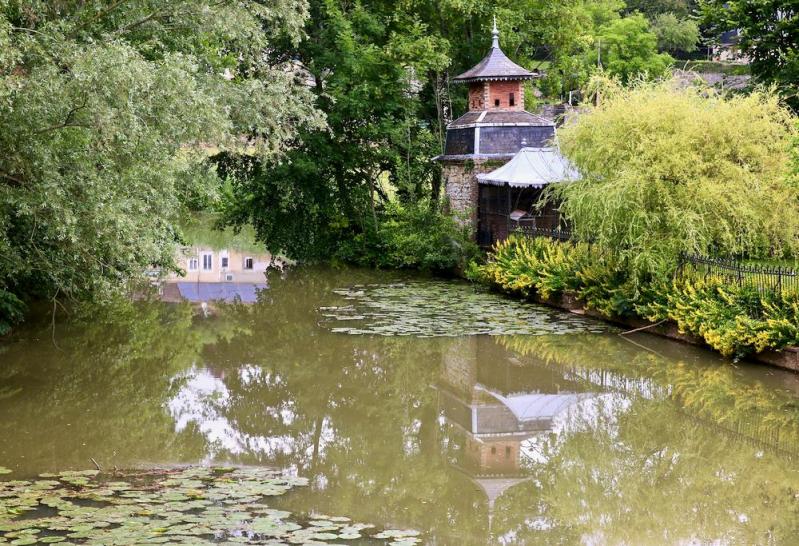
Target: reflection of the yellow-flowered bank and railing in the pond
x=720, y=394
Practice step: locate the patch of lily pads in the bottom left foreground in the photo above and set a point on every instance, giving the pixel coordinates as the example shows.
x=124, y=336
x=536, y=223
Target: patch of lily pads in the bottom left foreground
x=189, y=506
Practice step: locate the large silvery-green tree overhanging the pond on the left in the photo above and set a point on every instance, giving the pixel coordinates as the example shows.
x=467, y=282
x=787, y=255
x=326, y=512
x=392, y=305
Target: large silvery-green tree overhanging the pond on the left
x=106, y=108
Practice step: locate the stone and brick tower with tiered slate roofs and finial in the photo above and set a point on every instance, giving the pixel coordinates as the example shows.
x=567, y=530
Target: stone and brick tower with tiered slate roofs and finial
x=494, y=129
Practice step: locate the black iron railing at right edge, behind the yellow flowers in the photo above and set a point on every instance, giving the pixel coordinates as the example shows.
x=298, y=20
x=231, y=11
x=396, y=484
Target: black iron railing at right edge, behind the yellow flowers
x=763, y=277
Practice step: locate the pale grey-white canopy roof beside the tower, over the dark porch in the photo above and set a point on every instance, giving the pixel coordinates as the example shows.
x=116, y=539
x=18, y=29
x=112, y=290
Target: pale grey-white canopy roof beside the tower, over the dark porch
x=532, y=168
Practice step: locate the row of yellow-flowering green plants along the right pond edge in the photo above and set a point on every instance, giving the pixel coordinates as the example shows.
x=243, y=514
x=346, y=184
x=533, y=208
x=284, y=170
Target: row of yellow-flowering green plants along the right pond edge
x=733, y=320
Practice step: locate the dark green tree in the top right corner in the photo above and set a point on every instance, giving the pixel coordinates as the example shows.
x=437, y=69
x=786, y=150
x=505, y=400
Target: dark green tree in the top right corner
x=769, y=35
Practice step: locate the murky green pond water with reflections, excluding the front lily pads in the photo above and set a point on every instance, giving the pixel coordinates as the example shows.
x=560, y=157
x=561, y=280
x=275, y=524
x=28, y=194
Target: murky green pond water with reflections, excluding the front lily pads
x=416, y=403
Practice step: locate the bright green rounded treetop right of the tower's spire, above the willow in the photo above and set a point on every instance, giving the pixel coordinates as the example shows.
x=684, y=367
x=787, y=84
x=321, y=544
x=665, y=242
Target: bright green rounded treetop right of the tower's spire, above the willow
x=627, y=48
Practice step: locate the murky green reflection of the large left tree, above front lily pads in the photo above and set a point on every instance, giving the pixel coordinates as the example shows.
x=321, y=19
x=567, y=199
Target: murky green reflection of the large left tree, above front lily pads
x=100, y=393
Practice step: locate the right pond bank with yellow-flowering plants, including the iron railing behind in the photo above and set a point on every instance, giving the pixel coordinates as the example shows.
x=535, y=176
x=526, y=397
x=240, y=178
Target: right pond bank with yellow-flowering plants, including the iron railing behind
x=714, y=305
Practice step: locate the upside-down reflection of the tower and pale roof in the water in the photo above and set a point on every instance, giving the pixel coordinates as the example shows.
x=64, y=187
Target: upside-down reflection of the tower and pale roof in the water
x=498, y=405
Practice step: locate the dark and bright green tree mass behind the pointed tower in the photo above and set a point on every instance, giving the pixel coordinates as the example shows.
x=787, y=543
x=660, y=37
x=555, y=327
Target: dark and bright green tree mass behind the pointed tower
x=381, y=73
